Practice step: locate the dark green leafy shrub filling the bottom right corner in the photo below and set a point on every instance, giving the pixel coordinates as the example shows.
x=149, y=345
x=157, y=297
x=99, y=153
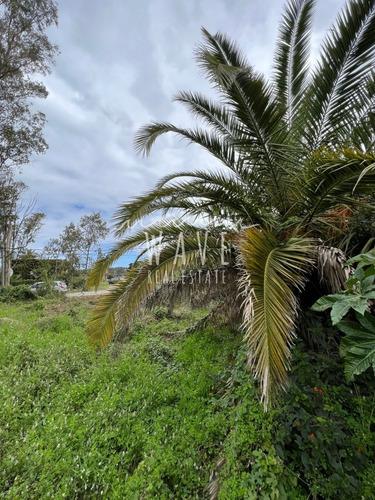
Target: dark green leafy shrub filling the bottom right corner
x=324, y=431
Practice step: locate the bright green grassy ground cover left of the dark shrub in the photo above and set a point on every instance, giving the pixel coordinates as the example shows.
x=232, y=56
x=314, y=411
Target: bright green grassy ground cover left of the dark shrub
x=77, y=423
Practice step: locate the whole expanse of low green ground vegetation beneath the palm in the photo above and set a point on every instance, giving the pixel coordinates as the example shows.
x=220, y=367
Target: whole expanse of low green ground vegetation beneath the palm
x=171, y=415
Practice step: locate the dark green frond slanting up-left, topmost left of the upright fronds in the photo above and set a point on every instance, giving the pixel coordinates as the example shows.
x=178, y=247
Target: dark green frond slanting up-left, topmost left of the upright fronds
x=251, y=100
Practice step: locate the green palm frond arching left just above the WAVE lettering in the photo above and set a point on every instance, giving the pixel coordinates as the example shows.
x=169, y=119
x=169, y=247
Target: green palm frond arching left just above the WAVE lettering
x=199, y=193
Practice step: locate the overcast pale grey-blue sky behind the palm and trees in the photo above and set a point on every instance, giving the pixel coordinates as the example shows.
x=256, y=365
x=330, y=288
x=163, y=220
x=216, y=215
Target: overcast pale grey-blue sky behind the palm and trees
x=120, y=64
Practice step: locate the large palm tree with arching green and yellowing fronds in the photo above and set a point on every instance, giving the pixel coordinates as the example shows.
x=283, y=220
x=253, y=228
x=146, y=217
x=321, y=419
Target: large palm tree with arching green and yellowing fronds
x=293, y=152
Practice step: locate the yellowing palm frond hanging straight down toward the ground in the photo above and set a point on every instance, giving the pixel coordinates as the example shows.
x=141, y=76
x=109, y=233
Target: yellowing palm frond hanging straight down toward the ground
x=272, y=274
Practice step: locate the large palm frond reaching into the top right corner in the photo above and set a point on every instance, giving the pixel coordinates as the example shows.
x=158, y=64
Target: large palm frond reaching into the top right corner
x=346, y=58
